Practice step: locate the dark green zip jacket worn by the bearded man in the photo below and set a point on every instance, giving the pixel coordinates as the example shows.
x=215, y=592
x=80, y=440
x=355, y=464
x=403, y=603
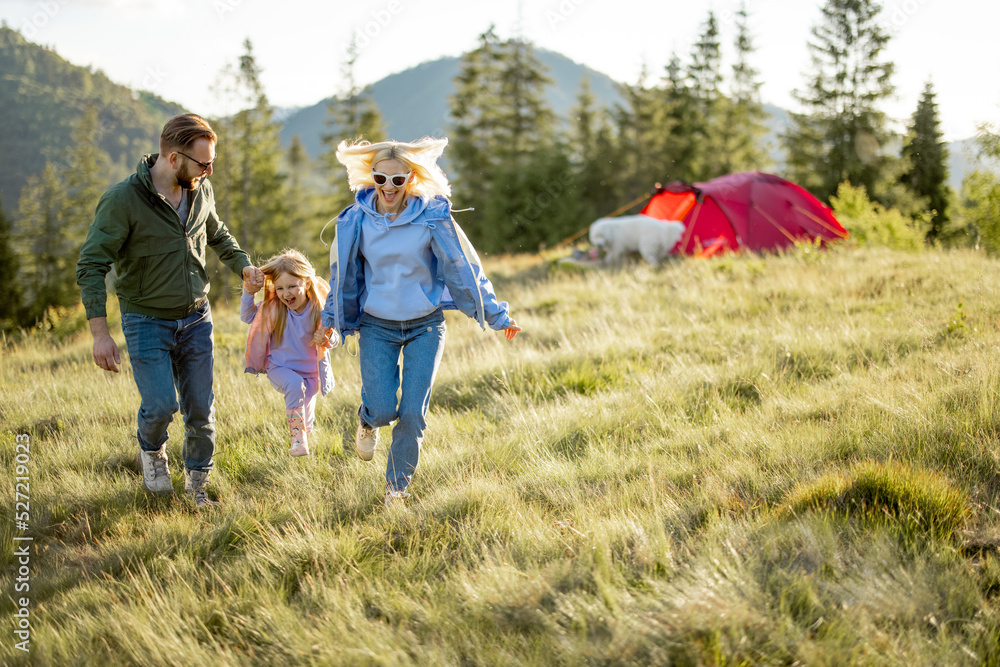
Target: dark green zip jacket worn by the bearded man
x=159, y=262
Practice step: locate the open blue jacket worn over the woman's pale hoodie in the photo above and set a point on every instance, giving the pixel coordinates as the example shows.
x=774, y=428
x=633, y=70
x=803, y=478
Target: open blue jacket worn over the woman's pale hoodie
x=467, y=288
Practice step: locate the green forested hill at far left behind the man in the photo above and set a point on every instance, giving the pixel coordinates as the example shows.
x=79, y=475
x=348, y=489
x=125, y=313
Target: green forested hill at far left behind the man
x=42, y=98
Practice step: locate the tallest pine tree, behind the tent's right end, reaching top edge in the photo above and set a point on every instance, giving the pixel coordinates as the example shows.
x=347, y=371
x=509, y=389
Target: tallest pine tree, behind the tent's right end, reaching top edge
x=840, y=136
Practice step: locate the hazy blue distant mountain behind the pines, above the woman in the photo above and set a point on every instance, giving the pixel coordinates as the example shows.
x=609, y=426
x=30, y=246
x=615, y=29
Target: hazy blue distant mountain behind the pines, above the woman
x=414, y=103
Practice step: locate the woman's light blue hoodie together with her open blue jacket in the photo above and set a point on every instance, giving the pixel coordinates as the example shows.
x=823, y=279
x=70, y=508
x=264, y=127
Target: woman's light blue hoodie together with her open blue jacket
x=421, y=261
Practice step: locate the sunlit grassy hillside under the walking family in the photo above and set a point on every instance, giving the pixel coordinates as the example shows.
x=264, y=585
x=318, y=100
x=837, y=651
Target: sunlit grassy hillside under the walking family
x=735, y=461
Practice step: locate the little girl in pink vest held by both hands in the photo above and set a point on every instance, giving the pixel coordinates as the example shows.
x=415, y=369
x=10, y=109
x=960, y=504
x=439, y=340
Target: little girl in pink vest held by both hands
x=283, y=340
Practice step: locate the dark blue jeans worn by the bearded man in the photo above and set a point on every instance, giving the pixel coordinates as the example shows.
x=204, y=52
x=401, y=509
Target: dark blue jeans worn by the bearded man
x=171, y=359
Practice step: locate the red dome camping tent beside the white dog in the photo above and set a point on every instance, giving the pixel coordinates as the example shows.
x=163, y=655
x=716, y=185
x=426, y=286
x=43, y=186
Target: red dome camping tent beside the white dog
x=750, y=210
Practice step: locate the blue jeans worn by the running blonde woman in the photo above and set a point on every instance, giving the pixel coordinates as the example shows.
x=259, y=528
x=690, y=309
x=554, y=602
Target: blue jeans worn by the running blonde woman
x=382, y=342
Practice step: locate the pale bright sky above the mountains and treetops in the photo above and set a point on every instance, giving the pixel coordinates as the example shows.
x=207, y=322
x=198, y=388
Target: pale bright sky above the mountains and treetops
x=177, y=48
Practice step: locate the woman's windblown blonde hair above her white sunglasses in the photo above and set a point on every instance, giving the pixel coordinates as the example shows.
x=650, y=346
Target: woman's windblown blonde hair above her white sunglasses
x=419, y=156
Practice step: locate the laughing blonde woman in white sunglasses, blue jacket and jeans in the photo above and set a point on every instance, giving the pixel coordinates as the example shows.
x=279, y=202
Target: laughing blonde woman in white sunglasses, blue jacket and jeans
x=398, y=260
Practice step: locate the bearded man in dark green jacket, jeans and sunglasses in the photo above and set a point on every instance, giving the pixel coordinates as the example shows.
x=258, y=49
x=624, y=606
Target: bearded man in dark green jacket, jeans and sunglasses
x=154, y=227
